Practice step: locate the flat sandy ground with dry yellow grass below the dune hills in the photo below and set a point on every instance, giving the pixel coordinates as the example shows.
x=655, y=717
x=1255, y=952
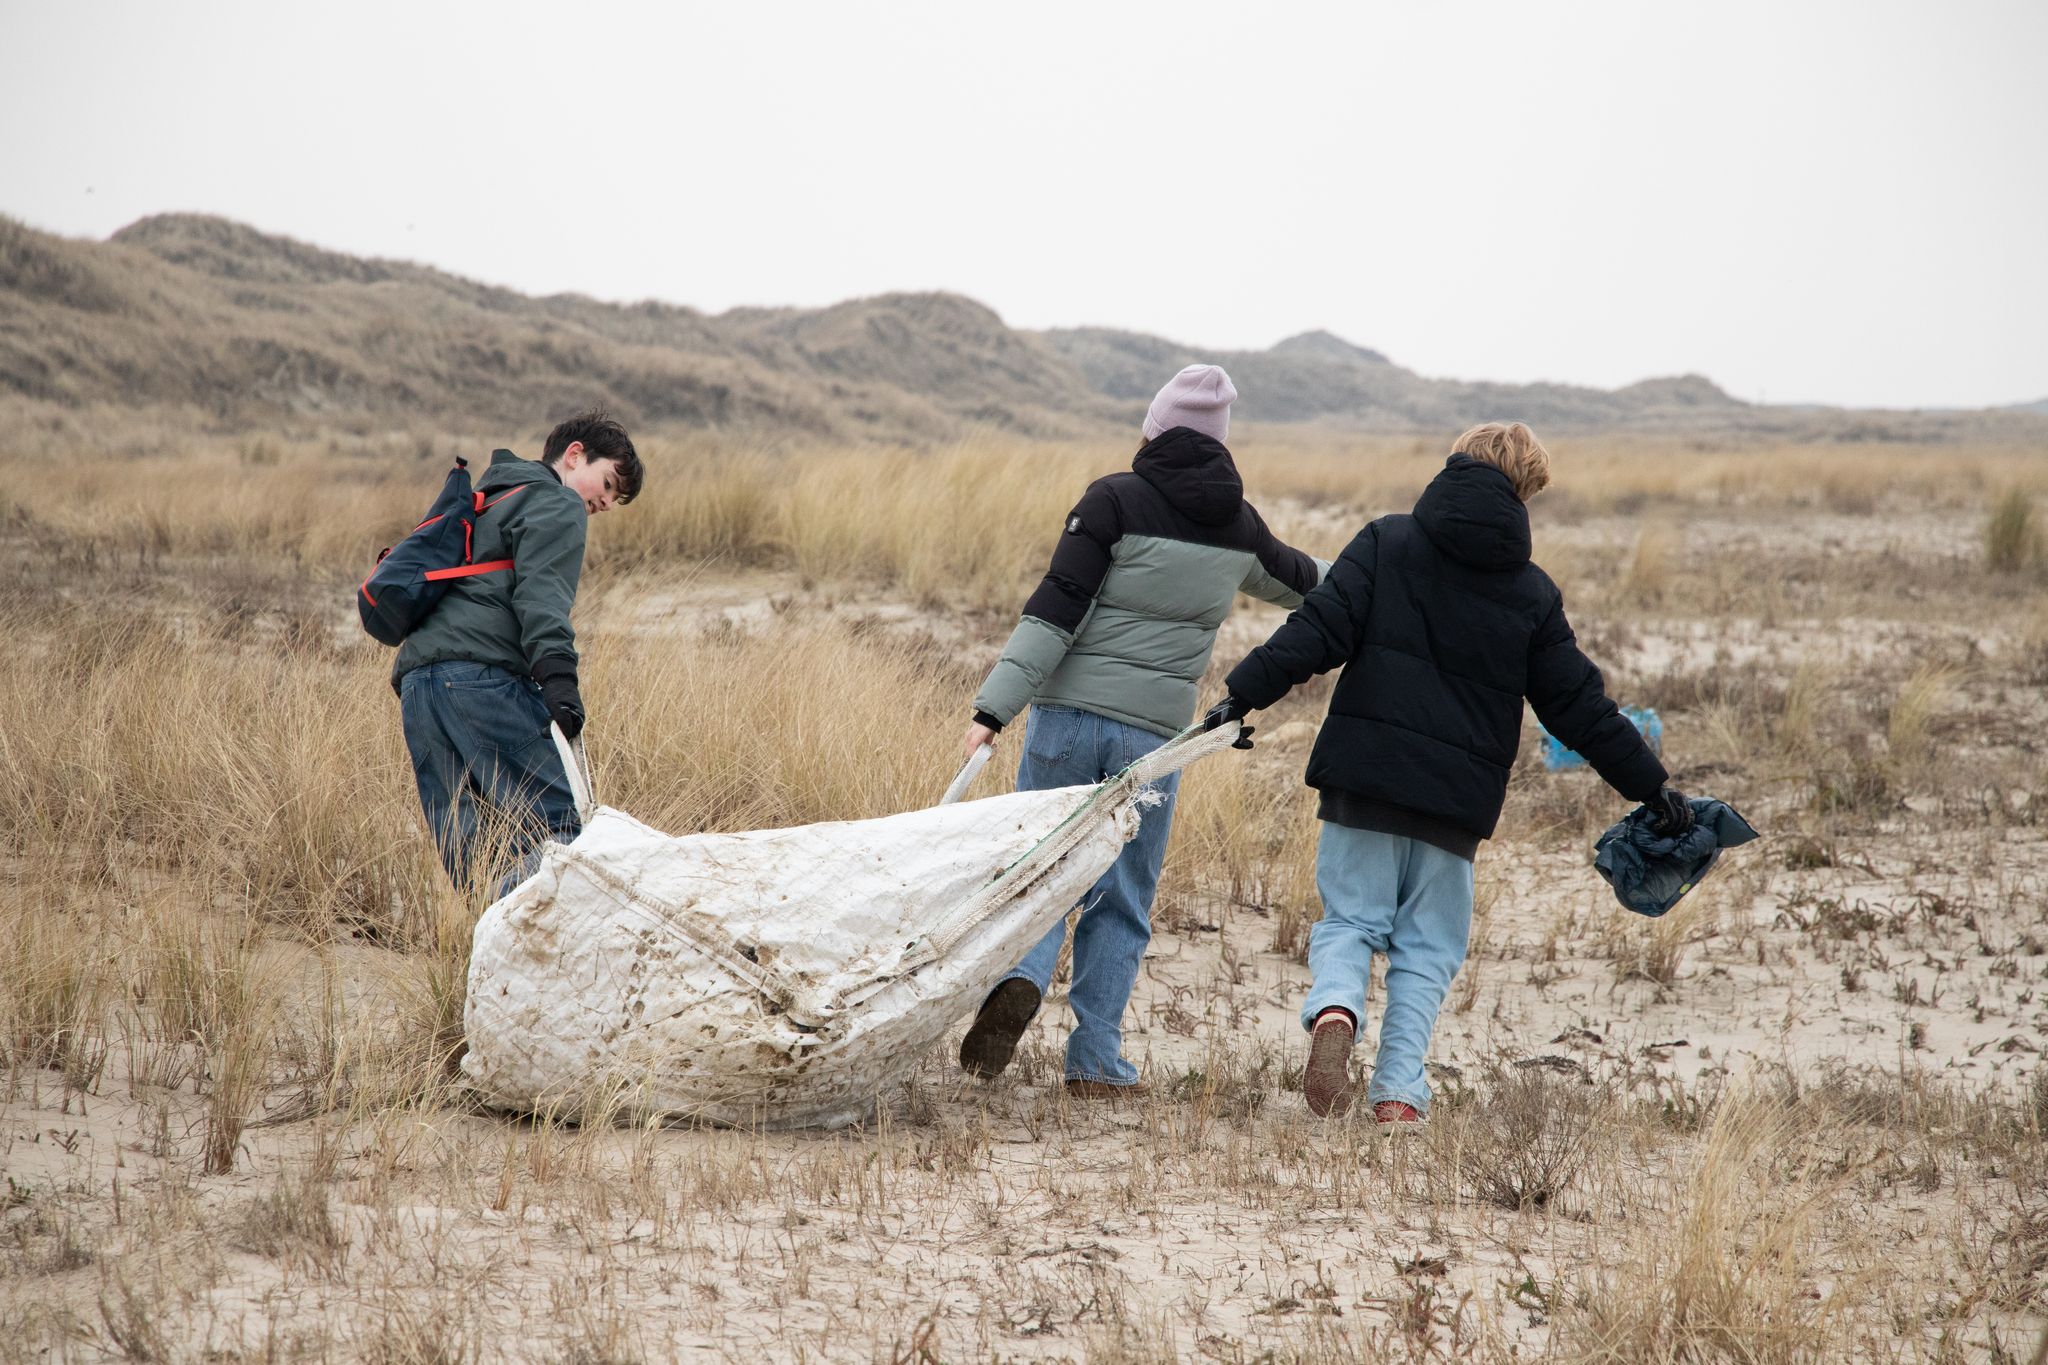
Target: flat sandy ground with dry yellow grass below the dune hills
x=1801, y=1118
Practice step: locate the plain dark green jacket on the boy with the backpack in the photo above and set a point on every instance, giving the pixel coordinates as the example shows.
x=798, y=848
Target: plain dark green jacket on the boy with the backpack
x=519, y=617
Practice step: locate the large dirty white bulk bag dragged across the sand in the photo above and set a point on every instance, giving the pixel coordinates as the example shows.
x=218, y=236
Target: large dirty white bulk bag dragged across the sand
x=783, y=977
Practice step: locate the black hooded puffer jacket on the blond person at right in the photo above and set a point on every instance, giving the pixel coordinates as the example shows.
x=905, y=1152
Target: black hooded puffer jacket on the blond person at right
x=1443, y=625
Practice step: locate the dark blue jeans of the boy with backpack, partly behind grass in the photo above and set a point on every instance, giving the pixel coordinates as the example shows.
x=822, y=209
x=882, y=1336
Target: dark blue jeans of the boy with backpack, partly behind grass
x=478, y=738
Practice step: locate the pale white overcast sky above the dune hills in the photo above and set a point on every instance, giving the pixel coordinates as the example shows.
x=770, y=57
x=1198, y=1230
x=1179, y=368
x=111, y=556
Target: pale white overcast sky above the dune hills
x=1803, y=202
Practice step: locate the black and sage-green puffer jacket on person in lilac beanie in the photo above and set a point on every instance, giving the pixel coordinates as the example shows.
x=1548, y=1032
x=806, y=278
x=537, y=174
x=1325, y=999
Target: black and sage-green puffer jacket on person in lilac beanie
x=1144, y=574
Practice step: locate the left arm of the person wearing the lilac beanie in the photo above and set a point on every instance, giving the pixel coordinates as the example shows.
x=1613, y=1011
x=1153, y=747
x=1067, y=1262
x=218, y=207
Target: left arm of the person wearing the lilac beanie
x=1052, y=617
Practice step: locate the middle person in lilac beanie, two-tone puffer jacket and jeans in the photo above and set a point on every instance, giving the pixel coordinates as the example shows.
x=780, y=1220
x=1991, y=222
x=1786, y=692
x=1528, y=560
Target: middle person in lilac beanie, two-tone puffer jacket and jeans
x=1109, y=656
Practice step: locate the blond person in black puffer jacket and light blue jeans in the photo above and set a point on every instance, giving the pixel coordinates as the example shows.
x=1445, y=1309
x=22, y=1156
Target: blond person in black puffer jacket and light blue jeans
x=1443, y=627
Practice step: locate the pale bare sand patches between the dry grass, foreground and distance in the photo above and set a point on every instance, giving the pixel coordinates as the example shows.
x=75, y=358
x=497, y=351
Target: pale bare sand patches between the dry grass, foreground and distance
x=1215, y=1221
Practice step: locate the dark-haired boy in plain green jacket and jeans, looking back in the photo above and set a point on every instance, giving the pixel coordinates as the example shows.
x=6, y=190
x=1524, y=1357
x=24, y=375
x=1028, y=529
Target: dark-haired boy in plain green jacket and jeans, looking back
x=495, y=662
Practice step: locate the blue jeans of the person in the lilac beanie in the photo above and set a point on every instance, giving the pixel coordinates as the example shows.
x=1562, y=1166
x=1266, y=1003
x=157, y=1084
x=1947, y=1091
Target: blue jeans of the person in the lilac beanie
x=1072, y=748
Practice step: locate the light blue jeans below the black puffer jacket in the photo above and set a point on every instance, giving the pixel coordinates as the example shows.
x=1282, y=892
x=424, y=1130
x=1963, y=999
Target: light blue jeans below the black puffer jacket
x=1410, y=901
